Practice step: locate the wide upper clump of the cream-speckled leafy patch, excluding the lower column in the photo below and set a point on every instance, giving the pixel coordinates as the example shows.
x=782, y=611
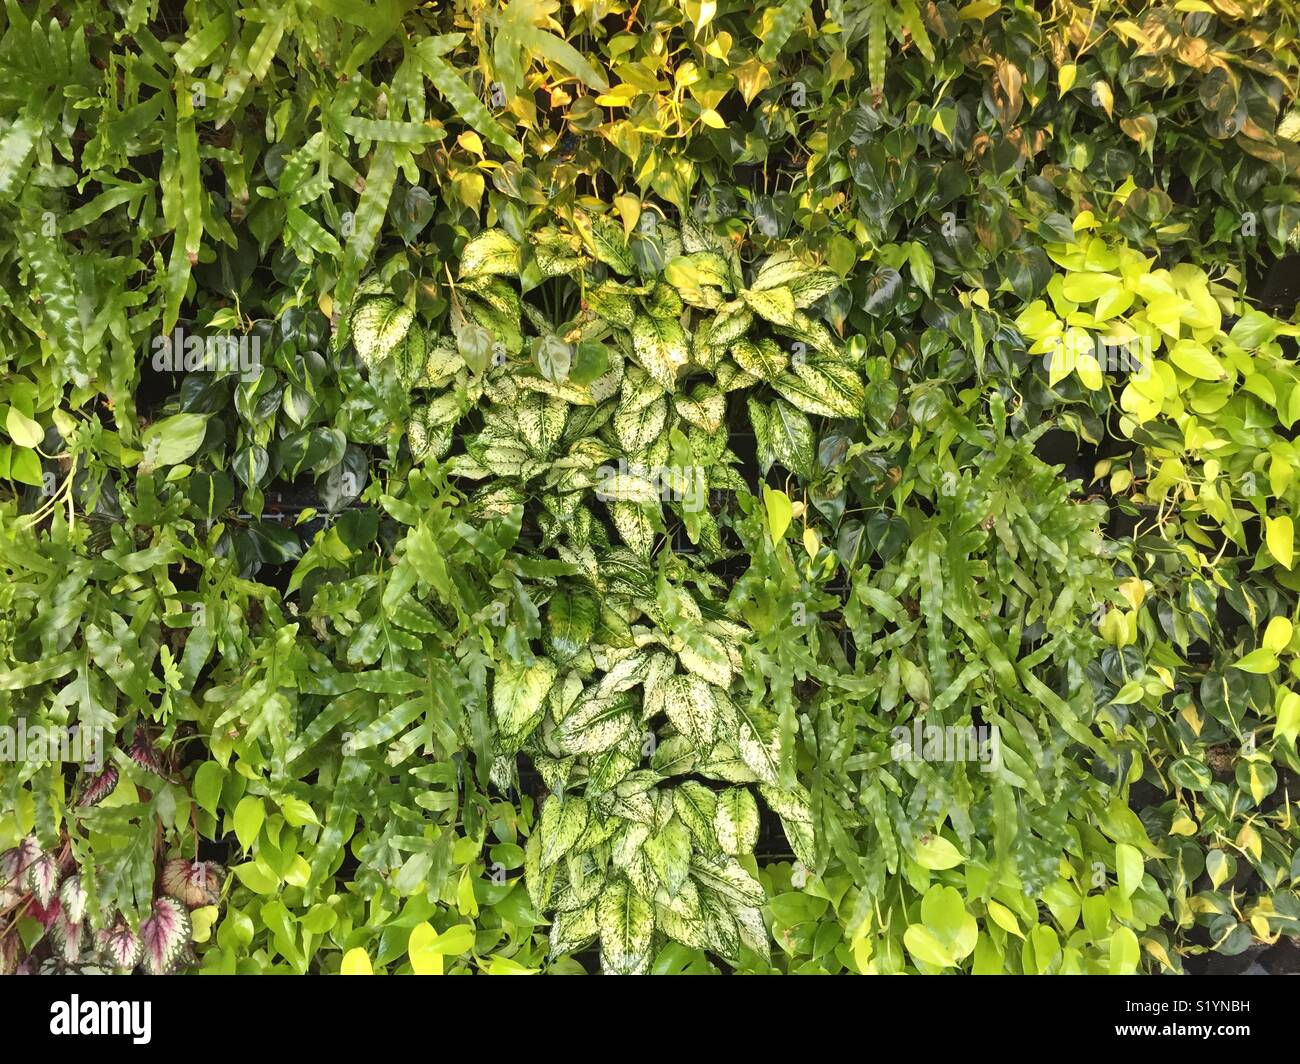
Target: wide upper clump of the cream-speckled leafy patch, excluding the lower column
x=627, y=401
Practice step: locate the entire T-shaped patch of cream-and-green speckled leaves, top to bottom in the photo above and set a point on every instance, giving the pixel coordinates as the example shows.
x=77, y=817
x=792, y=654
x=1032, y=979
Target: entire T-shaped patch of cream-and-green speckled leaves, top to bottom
x=626, y=406
